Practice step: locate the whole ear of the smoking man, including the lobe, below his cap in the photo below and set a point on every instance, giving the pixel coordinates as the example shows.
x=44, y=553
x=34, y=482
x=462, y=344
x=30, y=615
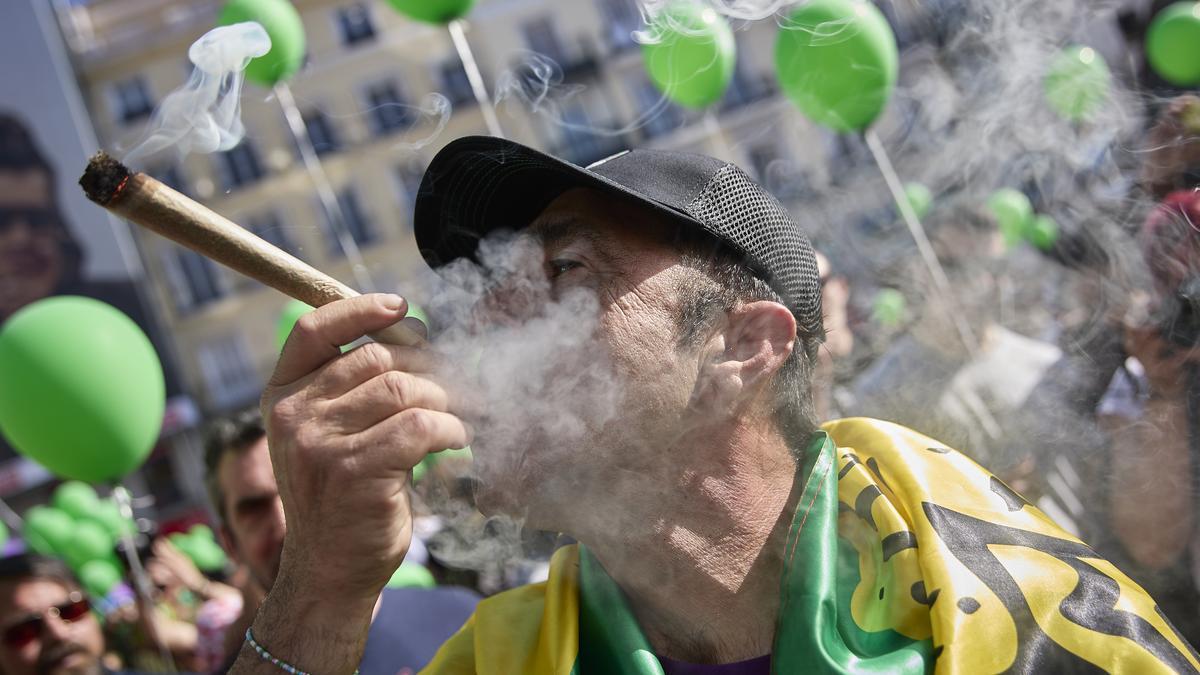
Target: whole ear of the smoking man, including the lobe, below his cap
x=752, y=344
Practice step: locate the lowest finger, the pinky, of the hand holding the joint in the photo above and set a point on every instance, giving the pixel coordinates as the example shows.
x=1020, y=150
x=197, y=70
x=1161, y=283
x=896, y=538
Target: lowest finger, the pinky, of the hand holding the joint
x=405, y=439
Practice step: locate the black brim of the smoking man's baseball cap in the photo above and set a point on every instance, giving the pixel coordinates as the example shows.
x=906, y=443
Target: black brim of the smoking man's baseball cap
x=482, y=184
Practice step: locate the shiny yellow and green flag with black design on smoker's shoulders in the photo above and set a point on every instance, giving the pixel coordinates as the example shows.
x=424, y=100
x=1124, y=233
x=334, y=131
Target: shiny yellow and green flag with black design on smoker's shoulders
x=903, y=557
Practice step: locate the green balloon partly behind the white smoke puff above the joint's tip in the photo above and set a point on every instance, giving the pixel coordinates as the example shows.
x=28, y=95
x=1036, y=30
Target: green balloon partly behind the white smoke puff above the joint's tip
x=286, y=31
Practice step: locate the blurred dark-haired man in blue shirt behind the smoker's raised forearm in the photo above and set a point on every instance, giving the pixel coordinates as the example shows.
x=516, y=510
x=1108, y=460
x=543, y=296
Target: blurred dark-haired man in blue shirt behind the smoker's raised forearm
x=409, y=625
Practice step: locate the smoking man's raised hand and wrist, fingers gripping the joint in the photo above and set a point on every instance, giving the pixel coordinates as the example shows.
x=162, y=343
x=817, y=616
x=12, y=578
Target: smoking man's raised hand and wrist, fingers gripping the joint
x=345, y=433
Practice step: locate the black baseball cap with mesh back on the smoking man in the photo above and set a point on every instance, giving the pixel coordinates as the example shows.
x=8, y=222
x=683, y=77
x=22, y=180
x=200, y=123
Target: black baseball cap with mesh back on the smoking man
x=482, y=184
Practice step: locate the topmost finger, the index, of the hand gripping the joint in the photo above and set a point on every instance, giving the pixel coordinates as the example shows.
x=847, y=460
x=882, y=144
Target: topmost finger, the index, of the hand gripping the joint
x=320, y=334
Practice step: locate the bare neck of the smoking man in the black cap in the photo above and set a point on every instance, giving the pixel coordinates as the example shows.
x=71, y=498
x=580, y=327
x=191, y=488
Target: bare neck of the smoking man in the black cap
x=703, y=568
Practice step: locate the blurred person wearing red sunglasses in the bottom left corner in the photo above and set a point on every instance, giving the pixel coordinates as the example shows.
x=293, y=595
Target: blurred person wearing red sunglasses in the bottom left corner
x=46, y=622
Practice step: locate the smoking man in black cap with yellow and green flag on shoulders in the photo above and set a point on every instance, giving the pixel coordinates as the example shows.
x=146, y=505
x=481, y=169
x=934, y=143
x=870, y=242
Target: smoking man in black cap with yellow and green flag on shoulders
x=721, y=529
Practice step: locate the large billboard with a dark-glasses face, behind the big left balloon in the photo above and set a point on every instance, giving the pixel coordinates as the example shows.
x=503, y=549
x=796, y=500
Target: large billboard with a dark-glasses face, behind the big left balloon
x=53, y=242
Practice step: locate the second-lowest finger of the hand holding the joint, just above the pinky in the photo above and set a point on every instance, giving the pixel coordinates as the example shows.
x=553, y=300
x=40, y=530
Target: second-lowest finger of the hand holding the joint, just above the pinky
x=385, y=396
